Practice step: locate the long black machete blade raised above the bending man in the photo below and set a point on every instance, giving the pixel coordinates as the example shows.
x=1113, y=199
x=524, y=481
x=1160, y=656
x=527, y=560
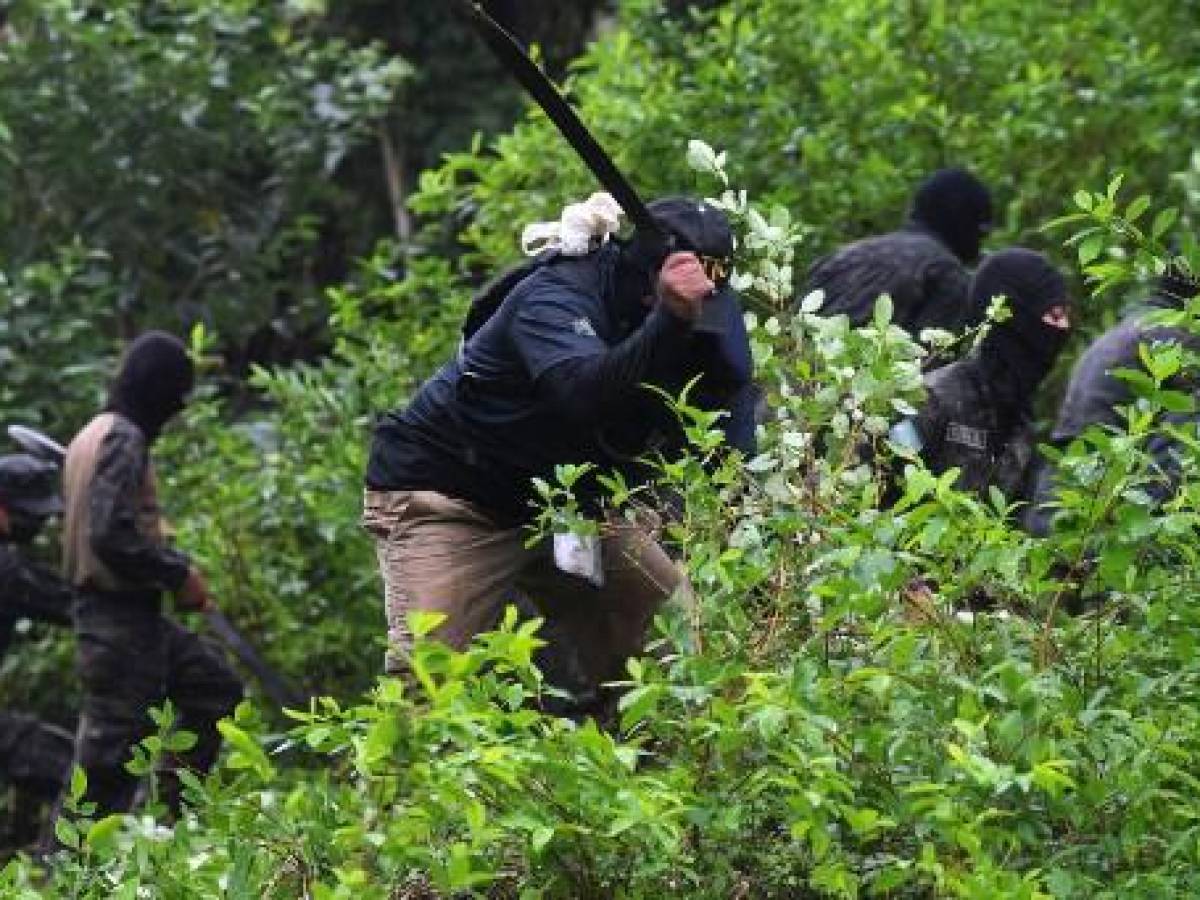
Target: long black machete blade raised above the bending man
x=566, y=119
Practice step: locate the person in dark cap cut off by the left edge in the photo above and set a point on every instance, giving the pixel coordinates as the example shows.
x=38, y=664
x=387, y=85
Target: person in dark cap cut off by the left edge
x=34, y=755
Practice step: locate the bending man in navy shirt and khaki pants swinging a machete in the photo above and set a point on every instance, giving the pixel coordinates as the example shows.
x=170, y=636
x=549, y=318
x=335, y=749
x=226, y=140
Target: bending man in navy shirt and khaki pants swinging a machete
x=554, y=376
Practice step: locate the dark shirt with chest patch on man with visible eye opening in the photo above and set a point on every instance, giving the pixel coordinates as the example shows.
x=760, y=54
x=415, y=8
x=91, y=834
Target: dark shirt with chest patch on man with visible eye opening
x=961, y=425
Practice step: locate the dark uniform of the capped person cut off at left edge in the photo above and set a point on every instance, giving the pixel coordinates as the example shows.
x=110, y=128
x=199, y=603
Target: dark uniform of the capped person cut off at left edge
x=34, y=754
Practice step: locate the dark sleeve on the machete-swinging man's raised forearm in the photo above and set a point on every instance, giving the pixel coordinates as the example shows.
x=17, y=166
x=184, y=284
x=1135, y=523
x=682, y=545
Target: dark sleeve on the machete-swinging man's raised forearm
x=596, y=383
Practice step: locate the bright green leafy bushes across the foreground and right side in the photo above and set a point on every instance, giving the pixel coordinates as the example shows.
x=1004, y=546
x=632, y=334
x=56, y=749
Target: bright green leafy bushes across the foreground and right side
x=829, y=723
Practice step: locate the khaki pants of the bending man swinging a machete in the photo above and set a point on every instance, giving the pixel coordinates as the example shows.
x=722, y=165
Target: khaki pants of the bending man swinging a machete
x=443, y=555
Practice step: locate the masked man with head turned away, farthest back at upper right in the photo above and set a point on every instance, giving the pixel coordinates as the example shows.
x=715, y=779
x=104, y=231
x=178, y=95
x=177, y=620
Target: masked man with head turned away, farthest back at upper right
x=921, y=266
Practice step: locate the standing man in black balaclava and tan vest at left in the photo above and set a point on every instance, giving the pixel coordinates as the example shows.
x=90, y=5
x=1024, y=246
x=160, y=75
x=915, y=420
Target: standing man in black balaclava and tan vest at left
x=130, y=656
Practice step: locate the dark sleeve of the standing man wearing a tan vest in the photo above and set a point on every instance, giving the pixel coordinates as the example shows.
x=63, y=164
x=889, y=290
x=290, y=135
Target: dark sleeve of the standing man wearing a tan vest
x=113, y=518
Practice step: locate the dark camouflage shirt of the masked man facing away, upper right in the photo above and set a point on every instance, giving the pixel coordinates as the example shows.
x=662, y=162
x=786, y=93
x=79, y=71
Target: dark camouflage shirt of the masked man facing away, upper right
x=927, y=283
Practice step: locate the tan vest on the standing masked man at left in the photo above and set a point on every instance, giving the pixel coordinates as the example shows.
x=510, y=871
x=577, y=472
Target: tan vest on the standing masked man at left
x=81, y=566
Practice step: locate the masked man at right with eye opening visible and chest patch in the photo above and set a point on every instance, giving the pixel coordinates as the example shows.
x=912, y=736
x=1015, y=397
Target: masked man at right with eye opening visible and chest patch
x=979, y=412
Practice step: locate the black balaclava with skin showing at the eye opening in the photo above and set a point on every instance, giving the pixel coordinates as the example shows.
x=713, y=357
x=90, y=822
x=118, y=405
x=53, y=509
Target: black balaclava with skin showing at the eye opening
x=1018, y=353
